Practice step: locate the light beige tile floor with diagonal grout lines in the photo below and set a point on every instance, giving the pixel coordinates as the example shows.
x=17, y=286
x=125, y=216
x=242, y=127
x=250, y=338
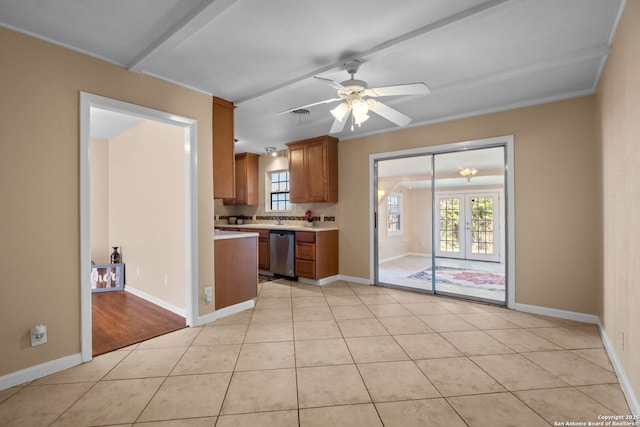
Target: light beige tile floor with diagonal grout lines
x=339, y=355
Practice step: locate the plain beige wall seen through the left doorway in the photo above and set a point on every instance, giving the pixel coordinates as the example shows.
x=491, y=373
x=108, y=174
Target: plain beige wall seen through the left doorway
x=146, y=208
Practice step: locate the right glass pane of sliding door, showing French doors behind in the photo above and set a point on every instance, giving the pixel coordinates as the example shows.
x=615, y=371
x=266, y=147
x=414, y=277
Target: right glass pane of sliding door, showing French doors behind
x=468, y=189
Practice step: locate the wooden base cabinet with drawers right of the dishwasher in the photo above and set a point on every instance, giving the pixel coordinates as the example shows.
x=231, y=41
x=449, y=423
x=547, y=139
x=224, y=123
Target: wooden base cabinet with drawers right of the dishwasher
x=316, y=254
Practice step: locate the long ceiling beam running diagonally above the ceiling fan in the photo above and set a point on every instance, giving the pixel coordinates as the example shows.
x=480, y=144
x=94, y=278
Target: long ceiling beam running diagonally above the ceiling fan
x=429, y=28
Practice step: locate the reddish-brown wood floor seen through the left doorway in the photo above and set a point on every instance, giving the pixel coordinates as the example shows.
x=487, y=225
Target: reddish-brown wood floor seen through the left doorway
x=121, y=319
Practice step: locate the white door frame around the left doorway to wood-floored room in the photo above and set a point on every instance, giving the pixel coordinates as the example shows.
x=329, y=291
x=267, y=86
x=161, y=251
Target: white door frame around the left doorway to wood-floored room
x=190, y=127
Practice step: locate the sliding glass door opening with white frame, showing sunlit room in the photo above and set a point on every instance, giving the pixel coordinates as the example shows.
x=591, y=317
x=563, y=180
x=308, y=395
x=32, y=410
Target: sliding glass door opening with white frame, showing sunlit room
x=442, y=231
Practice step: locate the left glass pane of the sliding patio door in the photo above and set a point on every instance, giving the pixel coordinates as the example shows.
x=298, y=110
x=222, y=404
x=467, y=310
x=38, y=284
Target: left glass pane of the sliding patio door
x=403, y=233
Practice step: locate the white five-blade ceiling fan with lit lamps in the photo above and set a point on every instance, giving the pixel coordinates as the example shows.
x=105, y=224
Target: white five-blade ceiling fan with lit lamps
x=357, y=100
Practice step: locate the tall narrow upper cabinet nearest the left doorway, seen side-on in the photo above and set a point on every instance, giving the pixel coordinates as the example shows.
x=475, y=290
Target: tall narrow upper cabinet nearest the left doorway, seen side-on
x=223, y=151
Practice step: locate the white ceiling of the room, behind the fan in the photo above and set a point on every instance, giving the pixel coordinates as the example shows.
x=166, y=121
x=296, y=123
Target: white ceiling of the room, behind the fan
x=476, y=56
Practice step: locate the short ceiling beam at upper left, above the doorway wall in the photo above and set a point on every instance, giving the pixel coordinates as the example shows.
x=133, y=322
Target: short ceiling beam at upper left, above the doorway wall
x=184, y=29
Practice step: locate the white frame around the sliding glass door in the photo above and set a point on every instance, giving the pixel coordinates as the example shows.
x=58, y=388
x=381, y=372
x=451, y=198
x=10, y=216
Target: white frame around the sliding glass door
x=506, y=141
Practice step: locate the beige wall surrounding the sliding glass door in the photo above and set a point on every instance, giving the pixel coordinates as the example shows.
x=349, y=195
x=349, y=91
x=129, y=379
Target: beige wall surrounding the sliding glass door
x=555, y=215
